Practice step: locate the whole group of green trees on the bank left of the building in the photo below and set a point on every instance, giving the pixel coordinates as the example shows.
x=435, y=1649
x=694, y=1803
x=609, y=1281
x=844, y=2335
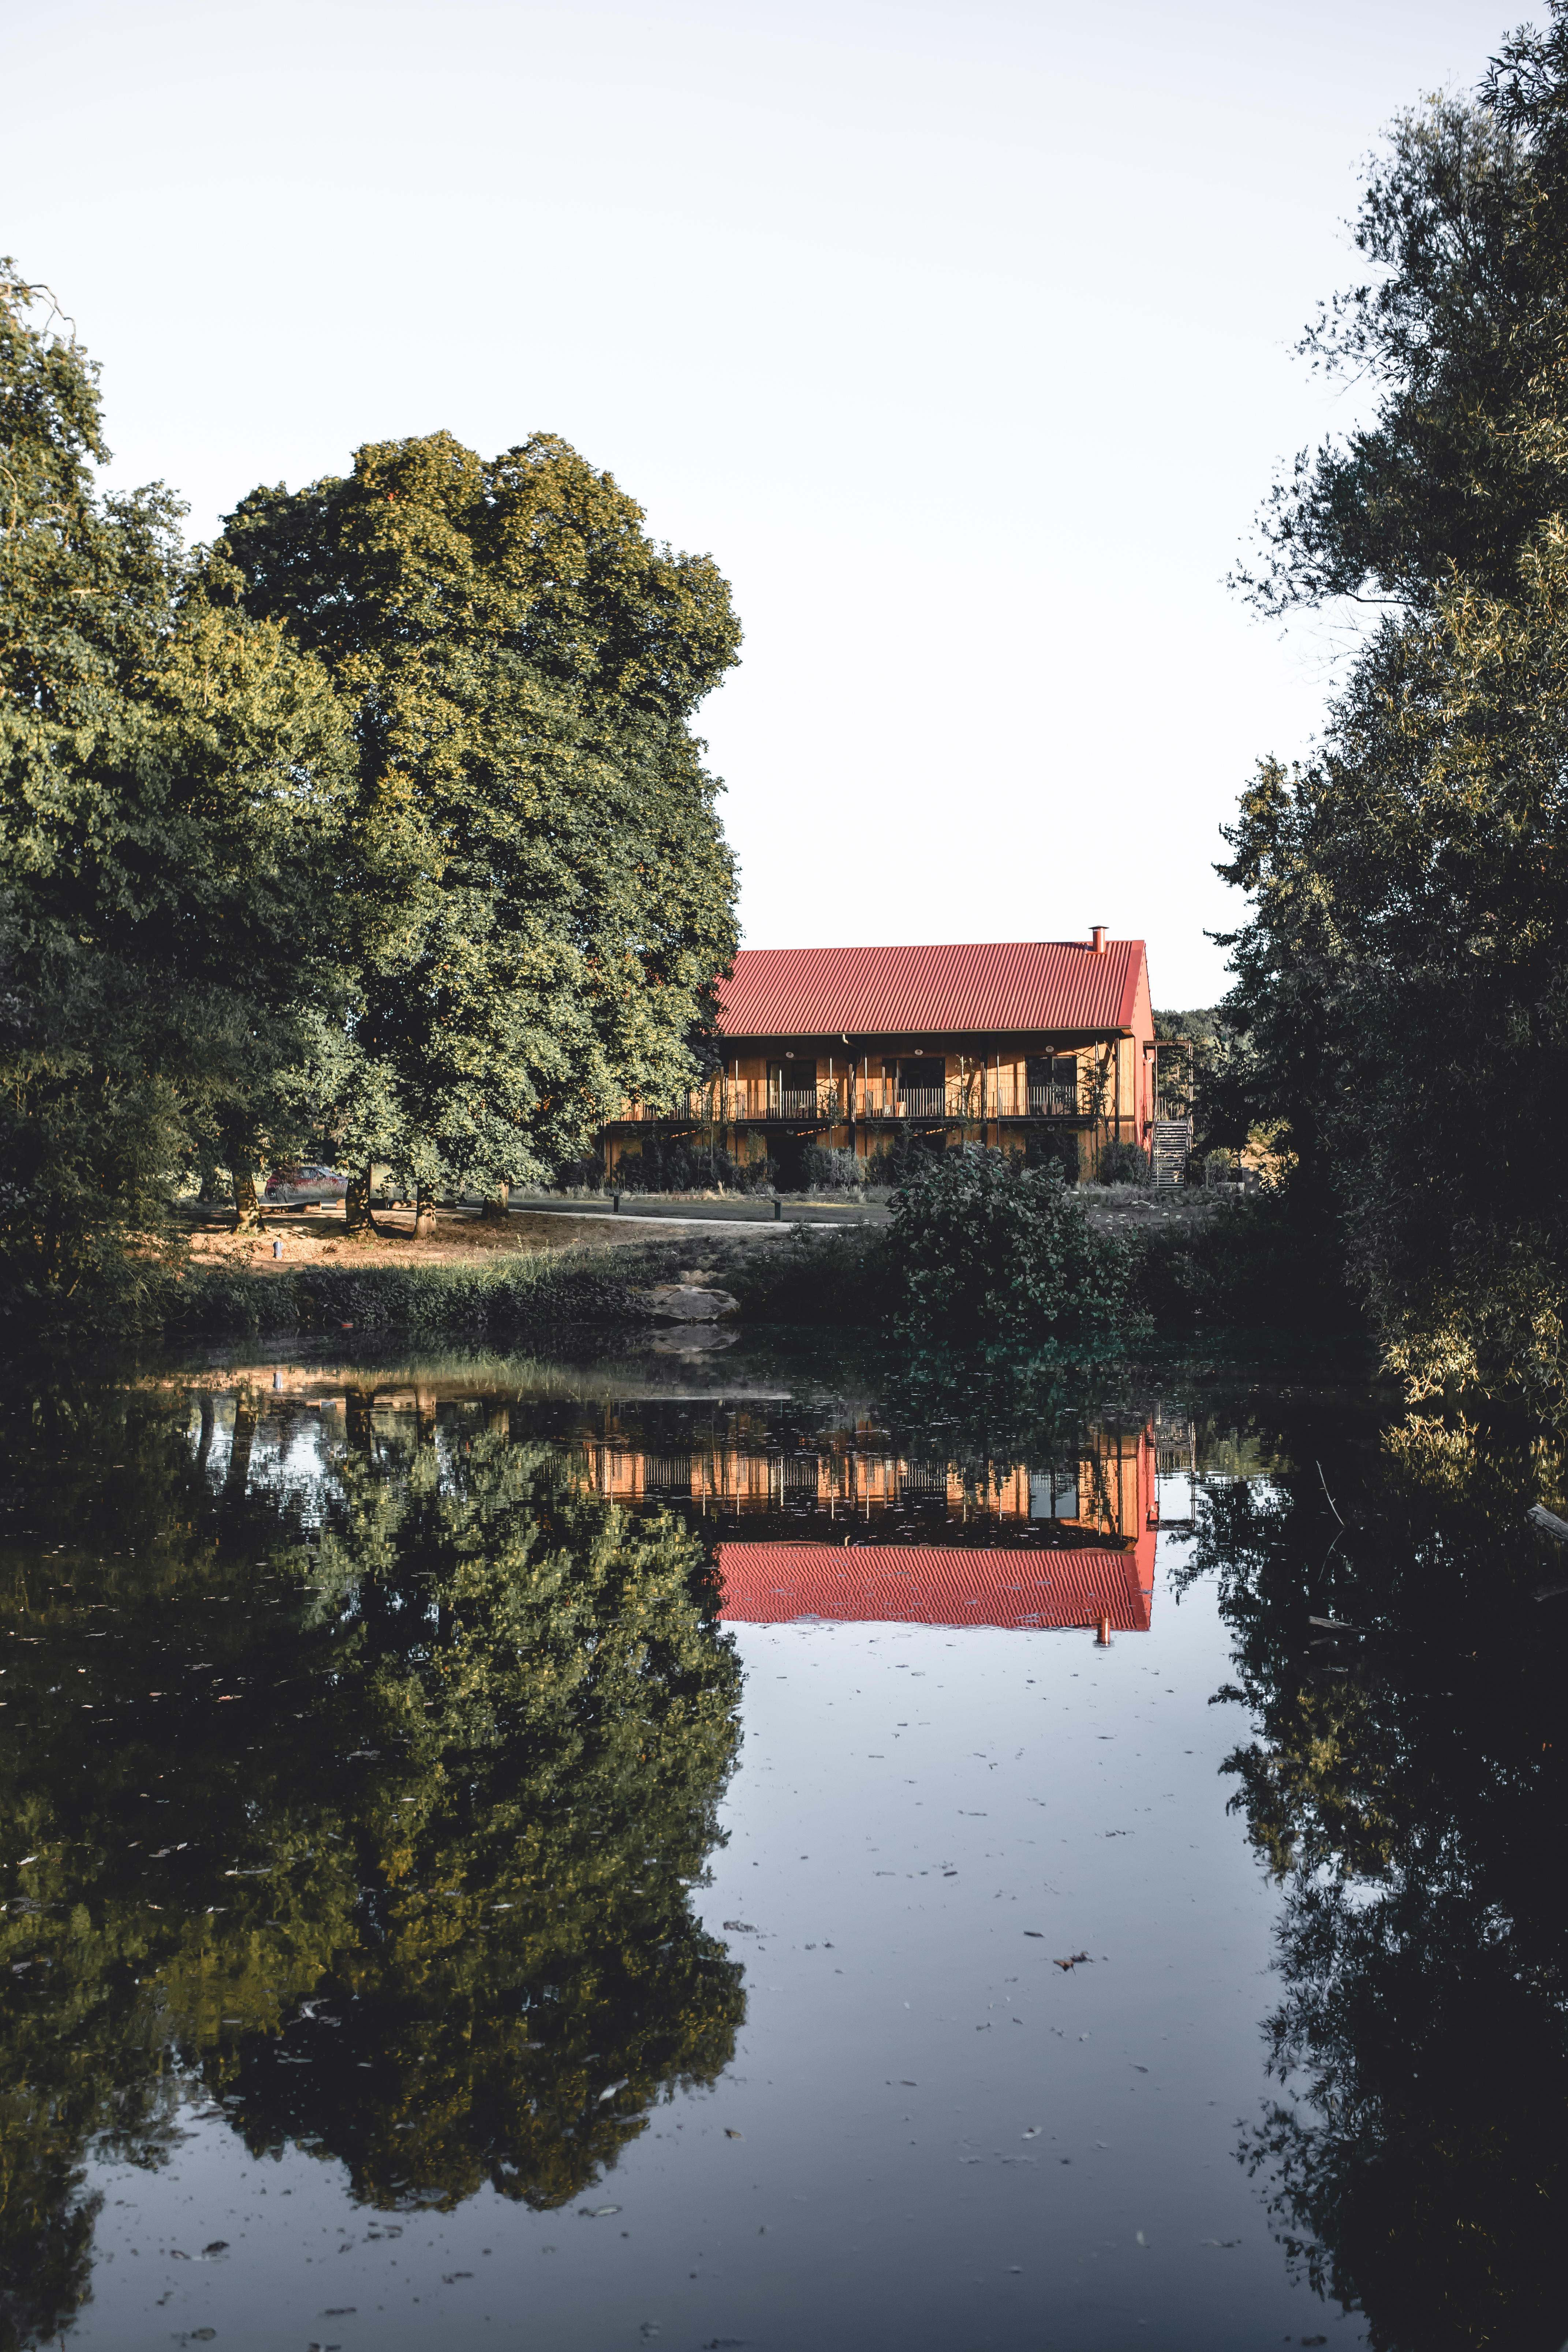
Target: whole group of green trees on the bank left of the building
x=375, y=831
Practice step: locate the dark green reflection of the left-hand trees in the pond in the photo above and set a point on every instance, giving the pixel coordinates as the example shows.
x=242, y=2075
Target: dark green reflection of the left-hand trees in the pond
x=408, y=1880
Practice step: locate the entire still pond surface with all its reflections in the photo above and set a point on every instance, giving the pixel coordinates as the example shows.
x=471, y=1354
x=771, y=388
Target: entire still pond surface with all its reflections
x=742, y=1850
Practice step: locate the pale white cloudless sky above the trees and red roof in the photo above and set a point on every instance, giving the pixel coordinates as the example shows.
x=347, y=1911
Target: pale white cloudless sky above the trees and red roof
x=958, y=333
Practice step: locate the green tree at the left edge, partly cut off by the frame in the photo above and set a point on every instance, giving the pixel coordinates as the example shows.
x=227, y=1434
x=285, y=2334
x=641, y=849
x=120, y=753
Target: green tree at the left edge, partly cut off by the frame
x=170, y=789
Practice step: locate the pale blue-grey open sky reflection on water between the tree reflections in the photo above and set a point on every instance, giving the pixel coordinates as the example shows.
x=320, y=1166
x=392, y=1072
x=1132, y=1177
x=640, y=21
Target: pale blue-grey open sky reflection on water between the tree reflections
x=930, y=2130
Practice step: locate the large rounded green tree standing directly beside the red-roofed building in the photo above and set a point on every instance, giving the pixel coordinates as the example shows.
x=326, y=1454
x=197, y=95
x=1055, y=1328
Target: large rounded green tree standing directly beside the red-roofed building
x=544, y=895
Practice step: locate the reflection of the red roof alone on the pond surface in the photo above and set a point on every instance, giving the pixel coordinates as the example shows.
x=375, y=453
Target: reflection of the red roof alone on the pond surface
x=768, y=1584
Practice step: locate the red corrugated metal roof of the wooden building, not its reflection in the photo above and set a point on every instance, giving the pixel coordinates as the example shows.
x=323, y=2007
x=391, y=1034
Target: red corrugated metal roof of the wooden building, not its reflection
x=1028, y=984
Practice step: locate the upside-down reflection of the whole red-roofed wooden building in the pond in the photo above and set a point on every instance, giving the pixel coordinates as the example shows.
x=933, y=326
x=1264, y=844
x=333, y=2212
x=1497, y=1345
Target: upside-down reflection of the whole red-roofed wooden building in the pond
x=852, y=1530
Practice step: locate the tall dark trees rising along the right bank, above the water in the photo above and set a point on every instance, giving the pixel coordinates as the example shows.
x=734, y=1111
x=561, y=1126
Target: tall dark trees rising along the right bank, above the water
x=1400, y=1010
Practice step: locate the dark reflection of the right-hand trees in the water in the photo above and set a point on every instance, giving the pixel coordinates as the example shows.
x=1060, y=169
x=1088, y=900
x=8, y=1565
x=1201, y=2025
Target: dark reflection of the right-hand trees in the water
x=1407, y=1789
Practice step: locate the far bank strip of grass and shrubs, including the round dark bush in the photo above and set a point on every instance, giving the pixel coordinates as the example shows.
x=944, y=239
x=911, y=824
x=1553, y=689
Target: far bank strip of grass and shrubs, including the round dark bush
x=979, y=1255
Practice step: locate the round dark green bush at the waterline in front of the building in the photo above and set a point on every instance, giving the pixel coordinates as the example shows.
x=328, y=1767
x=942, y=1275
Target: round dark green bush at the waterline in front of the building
x=989, y=1250
